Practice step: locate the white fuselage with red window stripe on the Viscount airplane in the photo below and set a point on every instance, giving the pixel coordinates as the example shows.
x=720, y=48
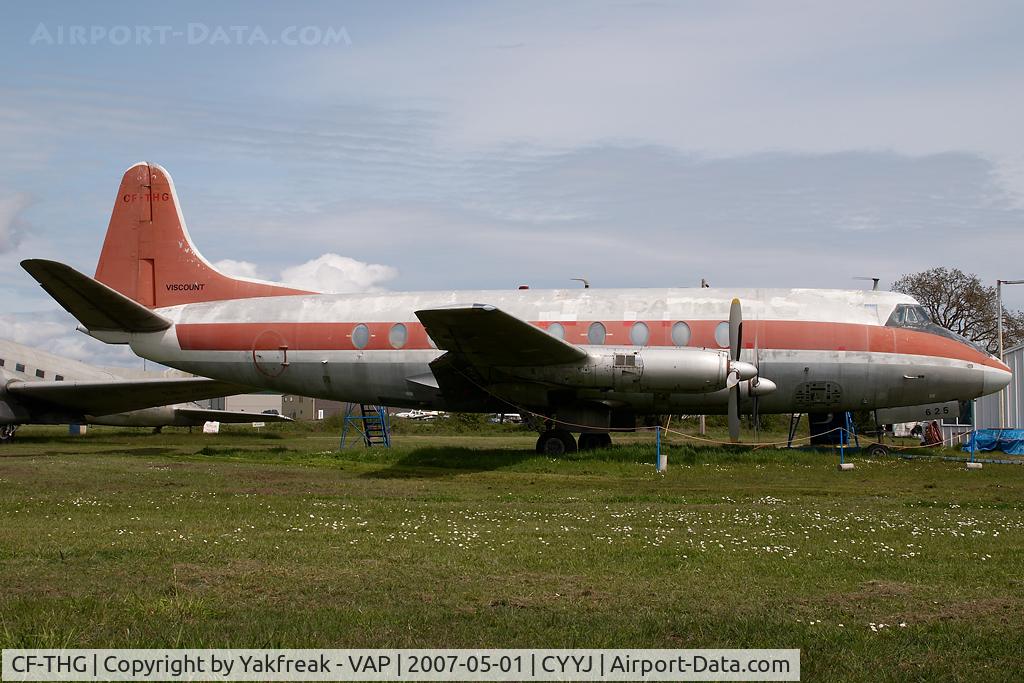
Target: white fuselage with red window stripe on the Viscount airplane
x=825, y=350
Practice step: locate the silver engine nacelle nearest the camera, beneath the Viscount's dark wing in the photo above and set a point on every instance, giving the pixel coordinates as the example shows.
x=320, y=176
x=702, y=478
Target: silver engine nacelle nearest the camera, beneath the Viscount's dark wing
x=645, y=370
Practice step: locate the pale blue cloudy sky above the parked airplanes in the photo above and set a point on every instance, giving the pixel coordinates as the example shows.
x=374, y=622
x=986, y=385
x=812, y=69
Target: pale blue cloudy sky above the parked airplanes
x=408, y=146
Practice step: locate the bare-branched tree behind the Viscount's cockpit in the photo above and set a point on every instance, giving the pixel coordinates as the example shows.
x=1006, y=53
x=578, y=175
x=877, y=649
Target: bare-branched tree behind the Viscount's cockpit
x=961, y=304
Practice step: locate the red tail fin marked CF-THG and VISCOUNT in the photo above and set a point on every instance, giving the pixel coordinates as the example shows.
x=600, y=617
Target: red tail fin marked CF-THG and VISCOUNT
x=149, y=257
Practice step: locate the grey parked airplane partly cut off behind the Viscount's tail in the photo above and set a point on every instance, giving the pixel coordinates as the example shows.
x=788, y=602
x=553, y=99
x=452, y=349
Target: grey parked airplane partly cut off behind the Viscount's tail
x=45, y=389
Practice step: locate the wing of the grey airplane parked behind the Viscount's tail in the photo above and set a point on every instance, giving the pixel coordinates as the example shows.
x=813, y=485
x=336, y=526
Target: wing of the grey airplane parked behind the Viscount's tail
x=109, y=397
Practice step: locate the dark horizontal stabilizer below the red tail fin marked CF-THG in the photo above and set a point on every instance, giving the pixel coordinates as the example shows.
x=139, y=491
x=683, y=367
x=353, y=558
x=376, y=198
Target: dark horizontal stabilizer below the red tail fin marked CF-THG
x=96, y=306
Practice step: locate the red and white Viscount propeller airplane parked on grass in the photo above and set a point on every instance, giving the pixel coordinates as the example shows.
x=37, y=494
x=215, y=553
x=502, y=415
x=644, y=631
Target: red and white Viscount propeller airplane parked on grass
x=589, y=361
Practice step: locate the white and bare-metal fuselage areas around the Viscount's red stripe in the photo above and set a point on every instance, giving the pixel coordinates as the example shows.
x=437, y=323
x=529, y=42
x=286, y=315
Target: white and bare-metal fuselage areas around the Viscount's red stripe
x=859, y=379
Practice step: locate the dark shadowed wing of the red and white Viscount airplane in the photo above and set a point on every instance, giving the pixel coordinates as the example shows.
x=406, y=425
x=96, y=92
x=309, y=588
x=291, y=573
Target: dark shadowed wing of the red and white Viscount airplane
x=486, y=336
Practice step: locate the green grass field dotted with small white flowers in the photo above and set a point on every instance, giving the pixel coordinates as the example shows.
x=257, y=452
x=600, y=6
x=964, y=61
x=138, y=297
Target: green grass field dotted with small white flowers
x=898, y=571
